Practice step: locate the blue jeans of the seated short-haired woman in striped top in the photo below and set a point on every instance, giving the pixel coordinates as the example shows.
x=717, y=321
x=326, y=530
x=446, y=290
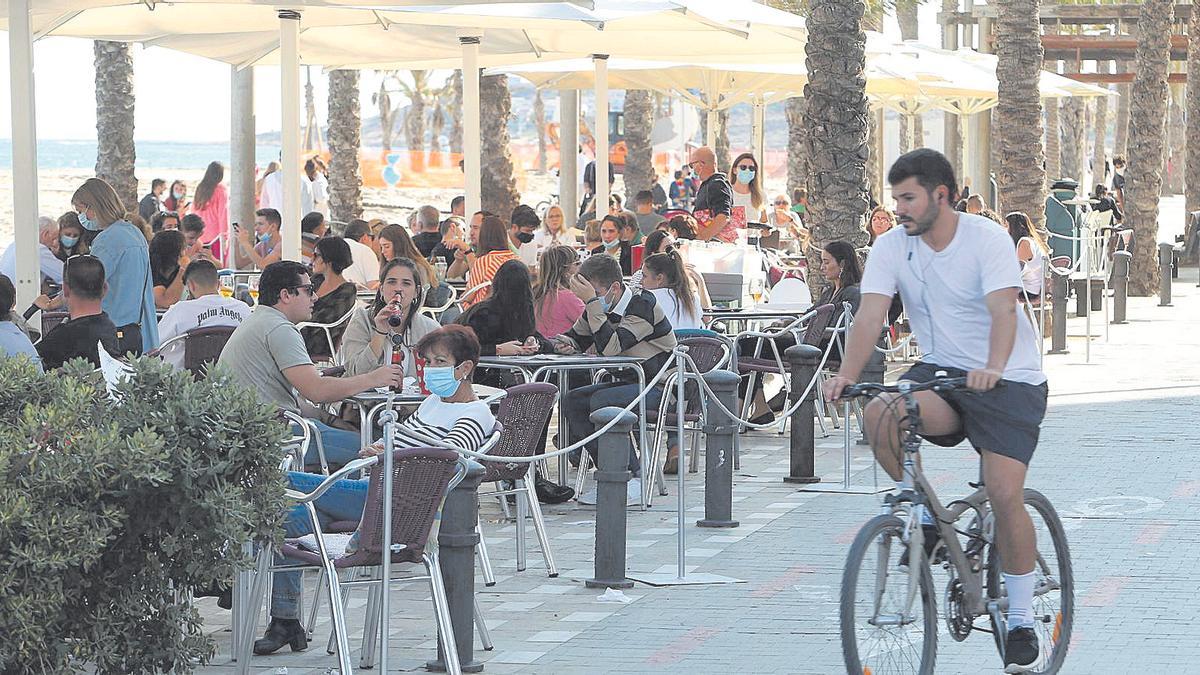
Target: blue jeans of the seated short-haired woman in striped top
x=344, y=501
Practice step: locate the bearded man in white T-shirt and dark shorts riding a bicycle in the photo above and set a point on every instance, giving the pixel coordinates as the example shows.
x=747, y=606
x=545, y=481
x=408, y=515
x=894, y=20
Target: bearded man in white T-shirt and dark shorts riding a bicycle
x=959, y=278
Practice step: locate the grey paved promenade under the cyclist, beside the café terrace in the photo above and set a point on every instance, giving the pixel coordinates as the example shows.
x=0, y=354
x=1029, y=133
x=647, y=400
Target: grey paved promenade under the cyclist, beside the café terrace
x=1117, y=458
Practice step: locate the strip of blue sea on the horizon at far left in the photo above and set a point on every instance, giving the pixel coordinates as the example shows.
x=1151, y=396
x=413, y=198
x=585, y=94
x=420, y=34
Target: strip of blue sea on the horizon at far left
x=55, y=154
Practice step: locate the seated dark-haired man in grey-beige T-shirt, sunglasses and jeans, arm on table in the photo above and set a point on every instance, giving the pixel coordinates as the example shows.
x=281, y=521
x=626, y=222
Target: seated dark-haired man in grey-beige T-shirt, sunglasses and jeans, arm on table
x=268, y=355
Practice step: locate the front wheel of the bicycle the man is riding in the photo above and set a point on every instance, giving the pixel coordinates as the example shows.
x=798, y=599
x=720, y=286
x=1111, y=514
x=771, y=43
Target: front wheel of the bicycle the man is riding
x=883, y=630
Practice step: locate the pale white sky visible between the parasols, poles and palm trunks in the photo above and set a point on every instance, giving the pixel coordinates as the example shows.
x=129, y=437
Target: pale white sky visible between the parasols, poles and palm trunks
x=181, y=97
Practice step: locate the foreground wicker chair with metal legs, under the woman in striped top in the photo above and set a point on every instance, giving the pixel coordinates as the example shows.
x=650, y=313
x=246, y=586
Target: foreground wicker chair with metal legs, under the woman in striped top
x=422, y=477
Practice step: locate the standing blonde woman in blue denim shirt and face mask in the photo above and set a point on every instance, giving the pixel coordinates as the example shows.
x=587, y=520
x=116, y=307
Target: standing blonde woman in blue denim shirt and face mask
x=125, y=253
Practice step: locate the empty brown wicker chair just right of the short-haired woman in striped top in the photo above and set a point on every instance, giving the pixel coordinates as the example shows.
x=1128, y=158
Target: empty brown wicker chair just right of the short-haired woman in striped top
x=524, y=414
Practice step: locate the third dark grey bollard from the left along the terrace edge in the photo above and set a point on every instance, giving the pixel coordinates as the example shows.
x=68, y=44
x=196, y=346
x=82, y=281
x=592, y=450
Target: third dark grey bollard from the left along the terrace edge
x=719, y=434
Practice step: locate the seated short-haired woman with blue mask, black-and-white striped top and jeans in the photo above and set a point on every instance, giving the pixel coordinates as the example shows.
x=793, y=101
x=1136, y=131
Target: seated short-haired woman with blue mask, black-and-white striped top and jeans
x=453, y=414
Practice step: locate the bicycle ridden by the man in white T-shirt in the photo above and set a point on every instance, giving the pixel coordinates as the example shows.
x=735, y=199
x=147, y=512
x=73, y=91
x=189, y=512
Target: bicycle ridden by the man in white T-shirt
x=885, y=626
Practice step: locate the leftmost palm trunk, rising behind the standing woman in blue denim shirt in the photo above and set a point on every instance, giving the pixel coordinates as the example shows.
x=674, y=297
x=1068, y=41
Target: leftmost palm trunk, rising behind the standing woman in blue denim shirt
x=116, y=152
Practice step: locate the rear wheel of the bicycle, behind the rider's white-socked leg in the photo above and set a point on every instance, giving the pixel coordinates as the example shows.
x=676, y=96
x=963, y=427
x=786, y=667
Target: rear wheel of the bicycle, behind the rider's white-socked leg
x=1054, y=596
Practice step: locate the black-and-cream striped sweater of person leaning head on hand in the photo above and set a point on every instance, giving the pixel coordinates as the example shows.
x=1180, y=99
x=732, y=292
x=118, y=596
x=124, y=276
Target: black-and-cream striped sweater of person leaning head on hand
x=640, y=330
